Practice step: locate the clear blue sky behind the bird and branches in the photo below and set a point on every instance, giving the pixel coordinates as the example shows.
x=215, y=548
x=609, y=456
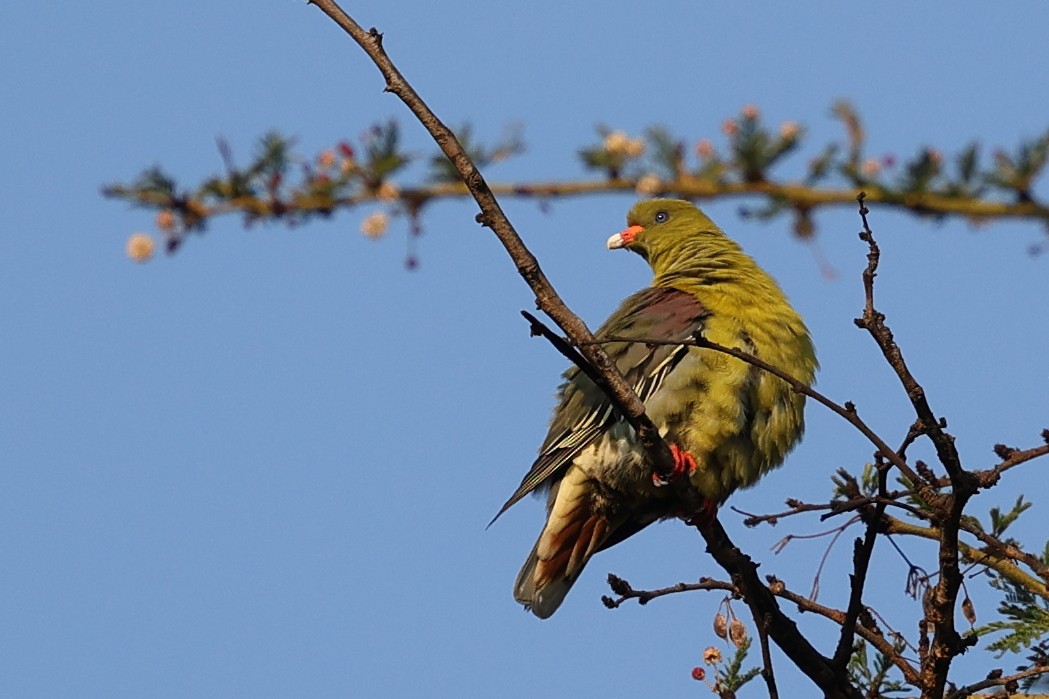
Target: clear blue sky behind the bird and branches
x=264, y=467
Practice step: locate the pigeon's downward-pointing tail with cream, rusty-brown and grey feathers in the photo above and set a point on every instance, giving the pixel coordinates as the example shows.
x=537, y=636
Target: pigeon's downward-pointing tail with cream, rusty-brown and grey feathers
x=573, y=534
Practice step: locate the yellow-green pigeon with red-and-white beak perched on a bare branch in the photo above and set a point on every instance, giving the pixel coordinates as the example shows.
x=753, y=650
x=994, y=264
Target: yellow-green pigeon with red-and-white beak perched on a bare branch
x=727, y=422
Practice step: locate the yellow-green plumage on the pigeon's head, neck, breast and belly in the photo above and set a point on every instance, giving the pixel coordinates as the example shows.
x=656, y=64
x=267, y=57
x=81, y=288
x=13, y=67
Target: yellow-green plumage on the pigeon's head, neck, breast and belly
x=746, y=420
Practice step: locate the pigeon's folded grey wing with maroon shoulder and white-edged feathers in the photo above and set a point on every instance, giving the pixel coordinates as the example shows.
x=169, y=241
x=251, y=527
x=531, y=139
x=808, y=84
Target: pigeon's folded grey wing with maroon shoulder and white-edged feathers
x=585, y=412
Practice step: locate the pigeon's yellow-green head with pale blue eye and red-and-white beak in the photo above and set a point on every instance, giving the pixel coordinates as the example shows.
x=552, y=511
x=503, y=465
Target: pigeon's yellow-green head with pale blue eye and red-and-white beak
x=669, y=232
